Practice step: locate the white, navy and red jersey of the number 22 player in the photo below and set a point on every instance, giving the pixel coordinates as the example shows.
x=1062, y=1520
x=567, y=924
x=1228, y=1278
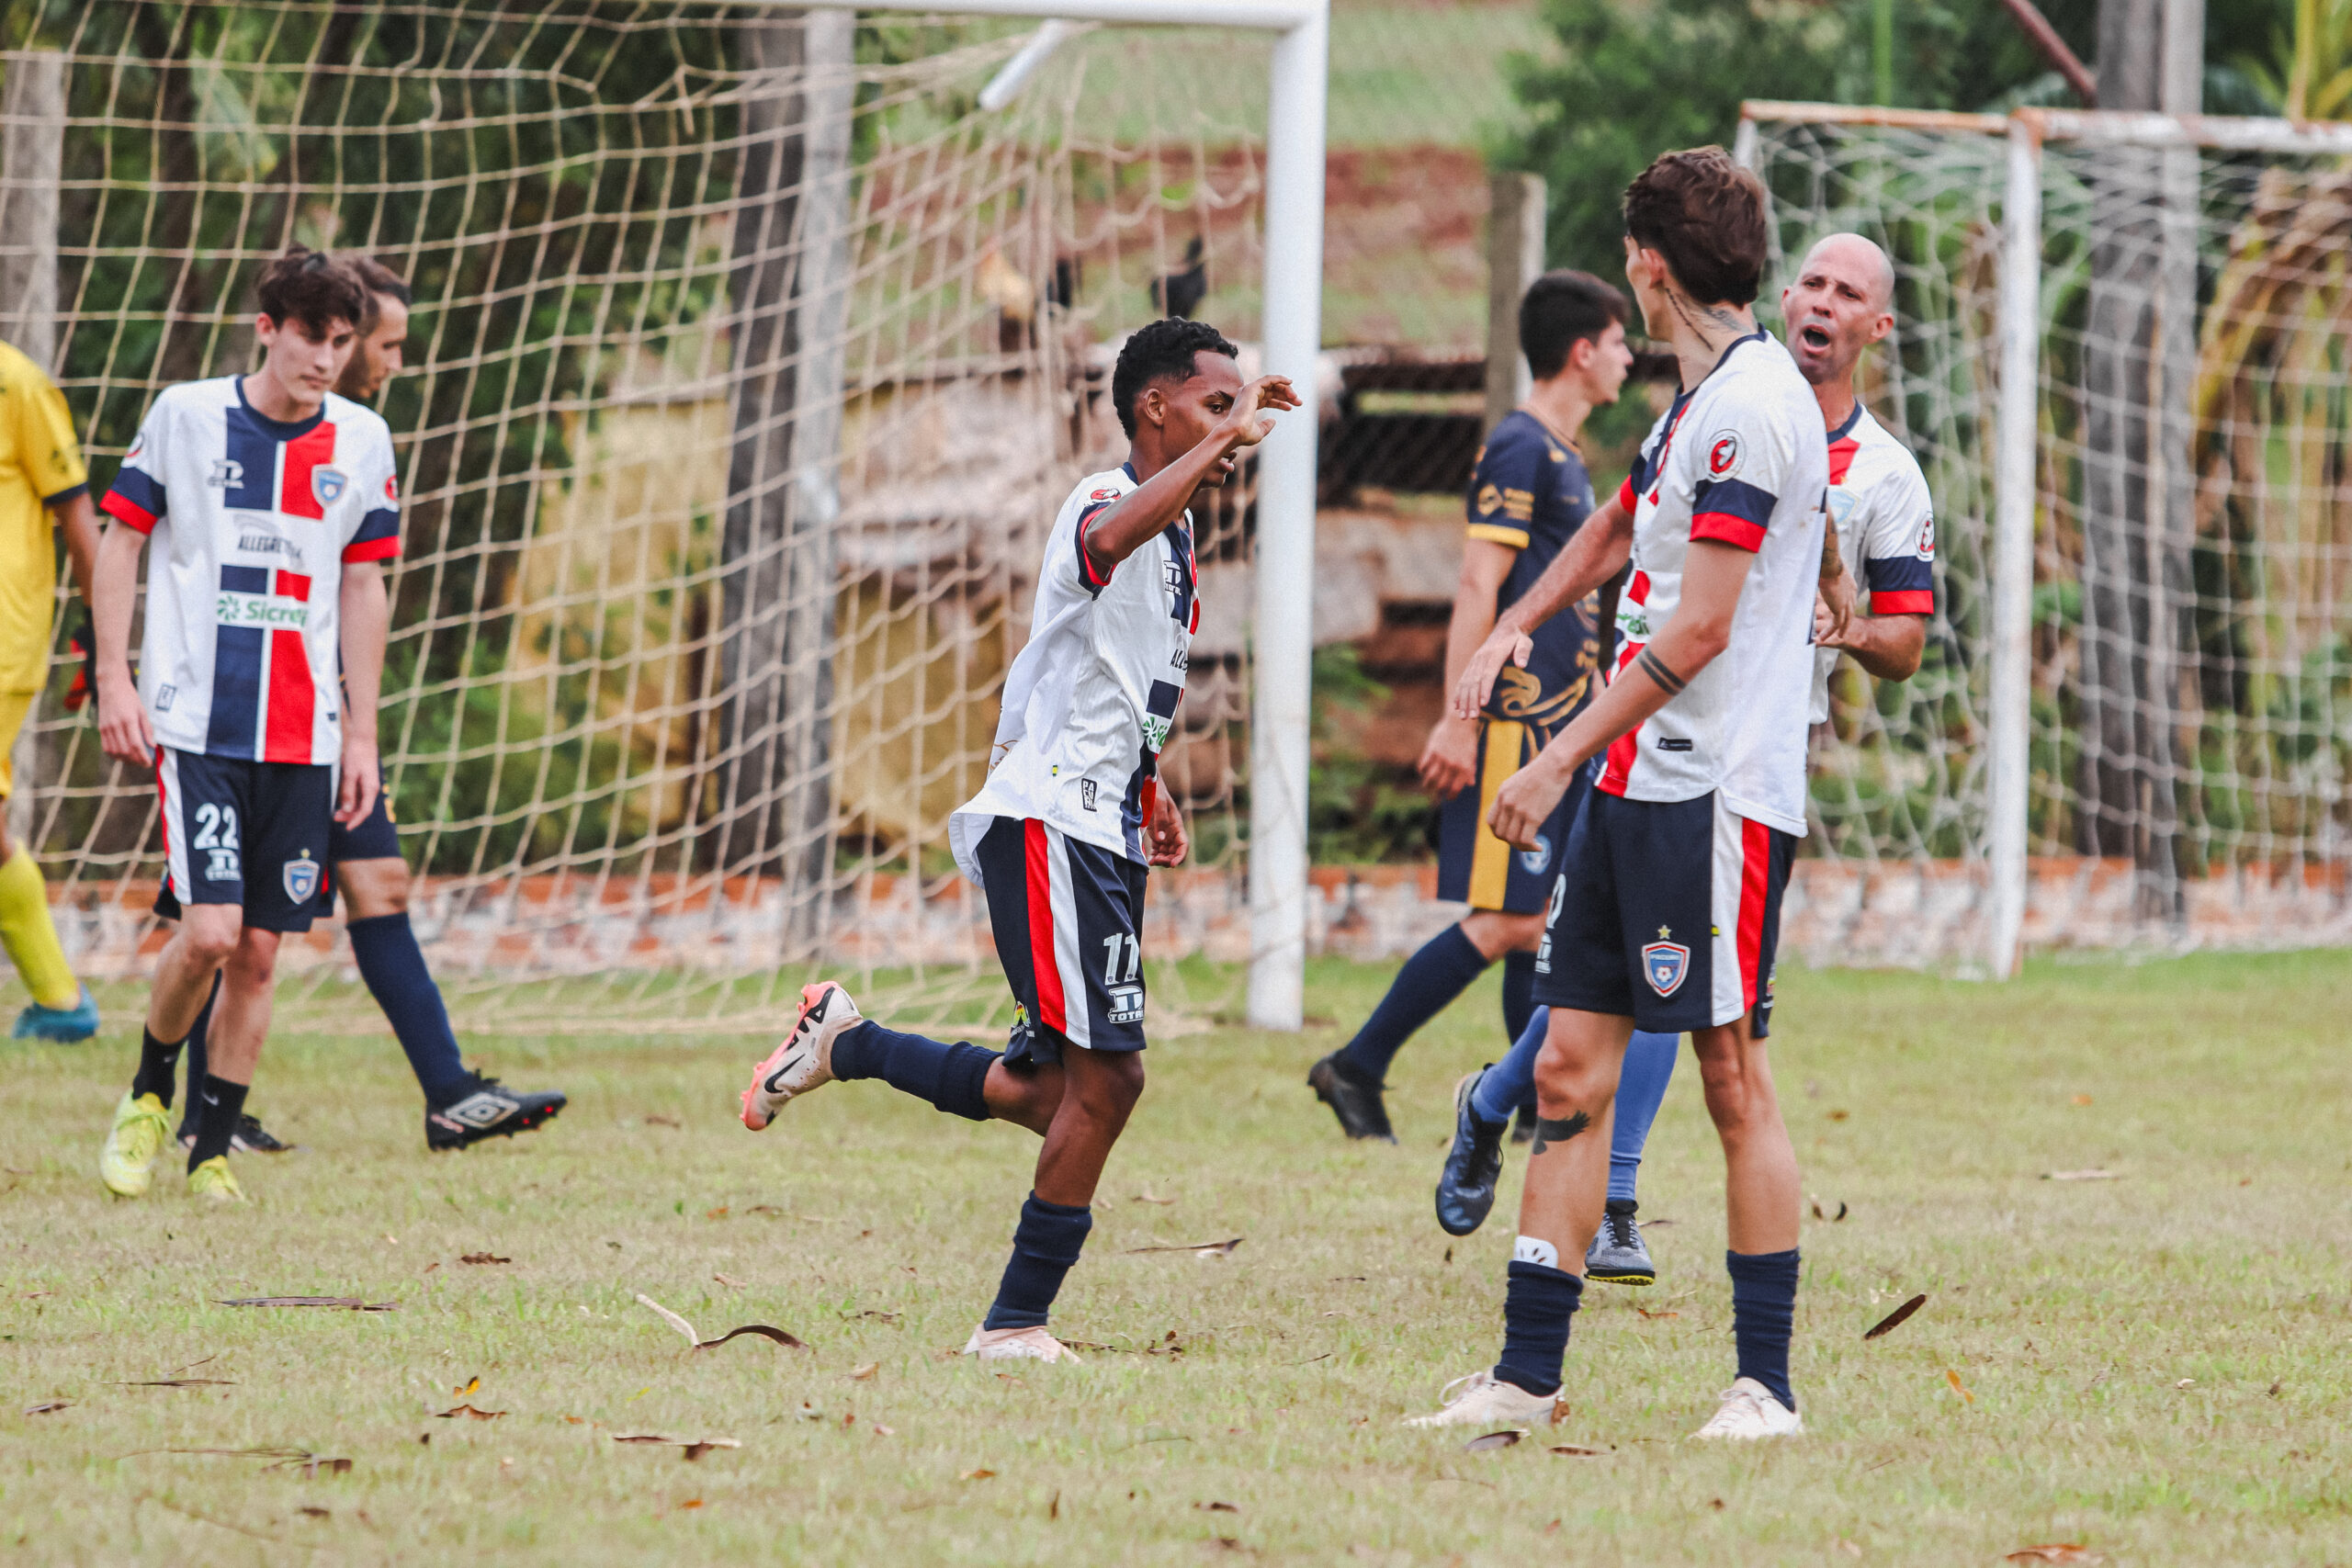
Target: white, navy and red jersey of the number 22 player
x=253, y=523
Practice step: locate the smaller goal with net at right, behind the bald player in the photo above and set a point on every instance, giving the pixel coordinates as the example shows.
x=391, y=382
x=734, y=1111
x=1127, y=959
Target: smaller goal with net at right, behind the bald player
x=2177, y=525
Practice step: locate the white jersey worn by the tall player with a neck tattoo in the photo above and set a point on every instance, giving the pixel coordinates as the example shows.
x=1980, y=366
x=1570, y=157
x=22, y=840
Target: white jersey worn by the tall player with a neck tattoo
x=1742, y=460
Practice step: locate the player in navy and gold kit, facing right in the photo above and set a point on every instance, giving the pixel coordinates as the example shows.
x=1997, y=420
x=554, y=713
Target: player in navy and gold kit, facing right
x=1528, y=497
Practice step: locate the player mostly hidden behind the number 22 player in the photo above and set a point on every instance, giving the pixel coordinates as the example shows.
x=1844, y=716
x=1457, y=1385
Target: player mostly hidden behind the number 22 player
x=368, y=871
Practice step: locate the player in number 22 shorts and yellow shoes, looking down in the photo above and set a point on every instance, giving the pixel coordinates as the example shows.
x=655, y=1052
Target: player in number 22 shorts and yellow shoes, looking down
x=272, y=504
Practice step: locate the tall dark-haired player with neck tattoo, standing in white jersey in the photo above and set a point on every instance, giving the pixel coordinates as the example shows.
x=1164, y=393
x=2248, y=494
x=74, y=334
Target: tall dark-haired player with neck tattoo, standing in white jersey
x=1669, y=904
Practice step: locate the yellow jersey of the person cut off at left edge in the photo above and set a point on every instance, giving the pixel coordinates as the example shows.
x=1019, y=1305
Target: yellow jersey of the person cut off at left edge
x=41, y=467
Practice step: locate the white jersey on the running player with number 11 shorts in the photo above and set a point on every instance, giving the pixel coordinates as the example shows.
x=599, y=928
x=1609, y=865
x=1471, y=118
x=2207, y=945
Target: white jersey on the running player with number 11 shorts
x=1093, y=699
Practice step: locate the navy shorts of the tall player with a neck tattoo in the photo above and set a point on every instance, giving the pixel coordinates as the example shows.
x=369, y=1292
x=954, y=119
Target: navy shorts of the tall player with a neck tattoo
x=1666, y=913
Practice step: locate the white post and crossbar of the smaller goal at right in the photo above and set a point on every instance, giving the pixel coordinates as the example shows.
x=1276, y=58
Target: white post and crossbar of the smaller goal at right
x=2017, y=438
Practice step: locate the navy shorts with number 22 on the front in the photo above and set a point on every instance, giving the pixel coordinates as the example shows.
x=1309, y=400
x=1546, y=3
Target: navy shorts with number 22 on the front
x=248, y=833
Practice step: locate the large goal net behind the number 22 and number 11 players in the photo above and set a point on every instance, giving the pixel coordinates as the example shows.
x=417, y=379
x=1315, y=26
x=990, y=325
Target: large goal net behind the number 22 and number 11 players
x=749, y=363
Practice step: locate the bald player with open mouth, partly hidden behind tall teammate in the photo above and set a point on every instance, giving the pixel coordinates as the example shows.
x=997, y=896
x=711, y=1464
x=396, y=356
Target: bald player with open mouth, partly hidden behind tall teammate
x=1883, y=516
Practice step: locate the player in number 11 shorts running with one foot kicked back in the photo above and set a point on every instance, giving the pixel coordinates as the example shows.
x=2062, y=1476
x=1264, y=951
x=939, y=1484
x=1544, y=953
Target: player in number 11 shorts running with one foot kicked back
x=1069, y=819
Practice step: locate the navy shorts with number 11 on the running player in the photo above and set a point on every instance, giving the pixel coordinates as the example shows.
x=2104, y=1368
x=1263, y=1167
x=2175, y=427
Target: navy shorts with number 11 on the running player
x=1069, y=925
